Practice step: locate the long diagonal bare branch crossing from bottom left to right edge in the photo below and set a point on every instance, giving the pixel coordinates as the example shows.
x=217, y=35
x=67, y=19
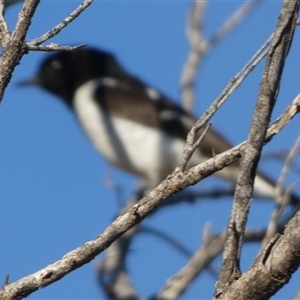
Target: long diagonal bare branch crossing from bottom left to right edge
x=175, y=183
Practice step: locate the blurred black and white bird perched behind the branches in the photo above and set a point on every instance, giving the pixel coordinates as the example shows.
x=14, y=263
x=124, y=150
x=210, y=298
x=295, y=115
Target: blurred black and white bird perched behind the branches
x=132, y=125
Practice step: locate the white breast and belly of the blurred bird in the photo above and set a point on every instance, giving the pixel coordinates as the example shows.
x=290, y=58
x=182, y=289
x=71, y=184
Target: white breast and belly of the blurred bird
x=137, y=148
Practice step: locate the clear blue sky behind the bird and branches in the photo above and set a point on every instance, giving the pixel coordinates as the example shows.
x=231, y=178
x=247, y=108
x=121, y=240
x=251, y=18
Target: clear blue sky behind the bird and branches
x=53, y=190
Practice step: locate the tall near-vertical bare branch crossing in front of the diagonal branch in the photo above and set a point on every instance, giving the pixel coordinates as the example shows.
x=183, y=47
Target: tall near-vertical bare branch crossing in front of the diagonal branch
x=230, y=269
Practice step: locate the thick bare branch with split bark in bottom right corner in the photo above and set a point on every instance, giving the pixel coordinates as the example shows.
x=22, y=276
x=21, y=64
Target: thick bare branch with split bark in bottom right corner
x=272, y=269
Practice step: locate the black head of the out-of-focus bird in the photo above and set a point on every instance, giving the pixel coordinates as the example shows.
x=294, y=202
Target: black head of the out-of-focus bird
x=63, y=72
